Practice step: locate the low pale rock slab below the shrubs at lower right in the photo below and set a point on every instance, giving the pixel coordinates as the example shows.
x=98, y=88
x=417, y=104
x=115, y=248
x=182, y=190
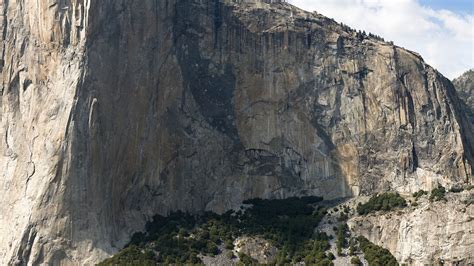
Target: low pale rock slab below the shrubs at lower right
x=426, y=234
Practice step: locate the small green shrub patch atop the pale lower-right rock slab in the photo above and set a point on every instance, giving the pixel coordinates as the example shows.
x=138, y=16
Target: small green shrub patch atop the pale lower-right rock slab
x=382, y=202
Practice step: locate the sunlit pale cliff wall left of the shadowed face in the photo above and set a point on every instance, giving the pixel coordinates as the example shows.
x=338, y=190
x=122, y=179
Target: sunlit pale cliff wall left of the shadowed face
x=41, y=69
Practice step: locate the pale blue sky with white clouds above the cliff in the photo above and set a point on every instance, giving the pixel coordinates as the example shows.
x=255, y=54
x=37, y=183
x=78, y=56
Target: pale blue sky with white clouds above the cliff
x=442, y=31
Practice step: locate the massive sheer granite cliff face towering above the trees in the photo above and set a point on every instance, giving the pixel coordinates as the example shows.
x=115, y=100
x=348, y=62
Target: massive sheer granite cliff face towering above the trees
x=114, y=110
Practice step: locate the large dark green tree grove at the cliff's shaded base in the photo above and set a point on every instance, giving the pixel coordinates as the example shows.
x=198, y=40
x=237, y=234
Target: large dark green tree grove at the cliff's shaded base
x=180, y=238
